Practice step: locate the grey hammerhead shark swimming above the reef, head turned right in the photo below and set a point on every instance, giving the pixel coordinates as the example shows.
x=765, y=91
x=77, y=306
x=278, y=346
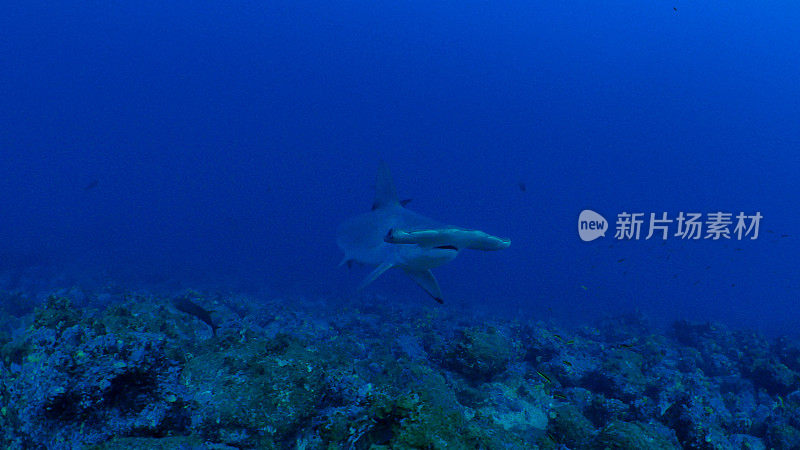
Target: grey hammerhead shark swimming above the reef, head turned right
x=390, y=235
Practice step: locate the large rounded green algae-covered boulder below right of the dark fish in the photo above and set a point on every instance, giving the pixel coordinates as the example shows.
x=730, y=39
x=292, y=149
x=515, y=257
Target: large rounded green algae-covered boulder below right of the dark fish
x=251, y=398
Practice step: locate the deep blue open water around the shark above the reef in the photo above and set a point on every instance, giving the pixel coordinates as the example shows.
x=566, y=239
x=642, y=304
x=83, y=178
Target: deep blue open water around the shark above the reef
x=229, y=139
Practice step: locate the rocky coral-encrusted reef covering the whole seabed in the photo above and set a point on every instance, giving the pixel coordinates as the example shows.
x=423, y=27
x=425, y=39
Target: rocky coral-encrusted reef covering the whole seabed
x=114, y=370
